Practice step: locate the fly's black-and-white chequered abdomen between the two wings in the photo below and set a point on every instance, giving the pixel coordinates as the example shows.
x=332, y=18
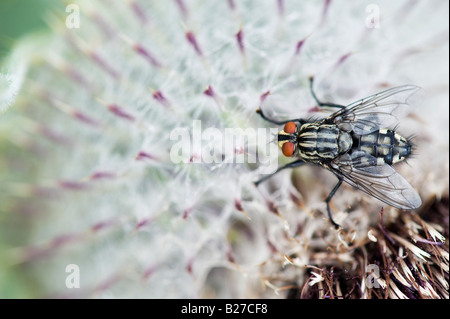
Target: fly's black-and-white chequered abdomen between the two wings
x=386, y=145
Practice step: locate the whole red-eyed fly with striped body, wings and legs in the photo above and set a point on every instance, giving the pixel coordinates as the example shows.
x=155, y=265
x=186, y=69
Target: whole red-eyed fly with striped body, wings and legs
x=355, y=145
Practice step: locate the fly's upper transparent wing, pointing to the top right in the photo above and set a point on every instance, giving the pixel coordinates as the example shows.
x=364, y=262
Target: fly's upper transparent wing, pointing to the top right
x=381, y=110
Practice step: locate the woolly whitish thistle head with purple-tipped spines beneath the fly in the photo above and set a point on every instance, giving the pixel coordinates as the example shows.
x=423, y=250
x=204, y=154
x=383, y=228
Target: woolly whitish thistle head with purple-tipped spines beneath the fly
x=87, y=177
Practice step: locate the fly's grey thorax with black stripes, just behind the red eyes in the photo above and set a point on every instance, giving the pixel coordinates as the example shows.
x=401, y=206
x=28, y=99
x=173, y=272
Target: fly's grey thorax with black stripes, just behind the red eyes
x=320, y=142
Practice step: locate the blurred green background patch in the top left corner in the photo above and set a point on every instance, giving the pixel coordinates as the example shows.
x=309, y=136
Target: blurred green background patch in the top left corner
x=19, y=17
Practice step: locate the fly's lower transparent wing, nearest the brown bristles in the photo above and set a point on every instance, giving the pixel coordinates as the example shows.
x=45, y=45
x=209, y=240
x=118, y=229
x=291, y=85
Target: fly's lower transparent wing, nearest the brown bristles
x=380, y=181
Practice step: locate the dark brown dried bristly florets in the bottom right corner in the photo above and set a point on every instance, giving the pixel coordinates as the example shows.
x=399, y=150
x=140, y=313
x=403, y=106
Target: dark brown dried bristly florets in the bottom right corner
x=401, y=260
